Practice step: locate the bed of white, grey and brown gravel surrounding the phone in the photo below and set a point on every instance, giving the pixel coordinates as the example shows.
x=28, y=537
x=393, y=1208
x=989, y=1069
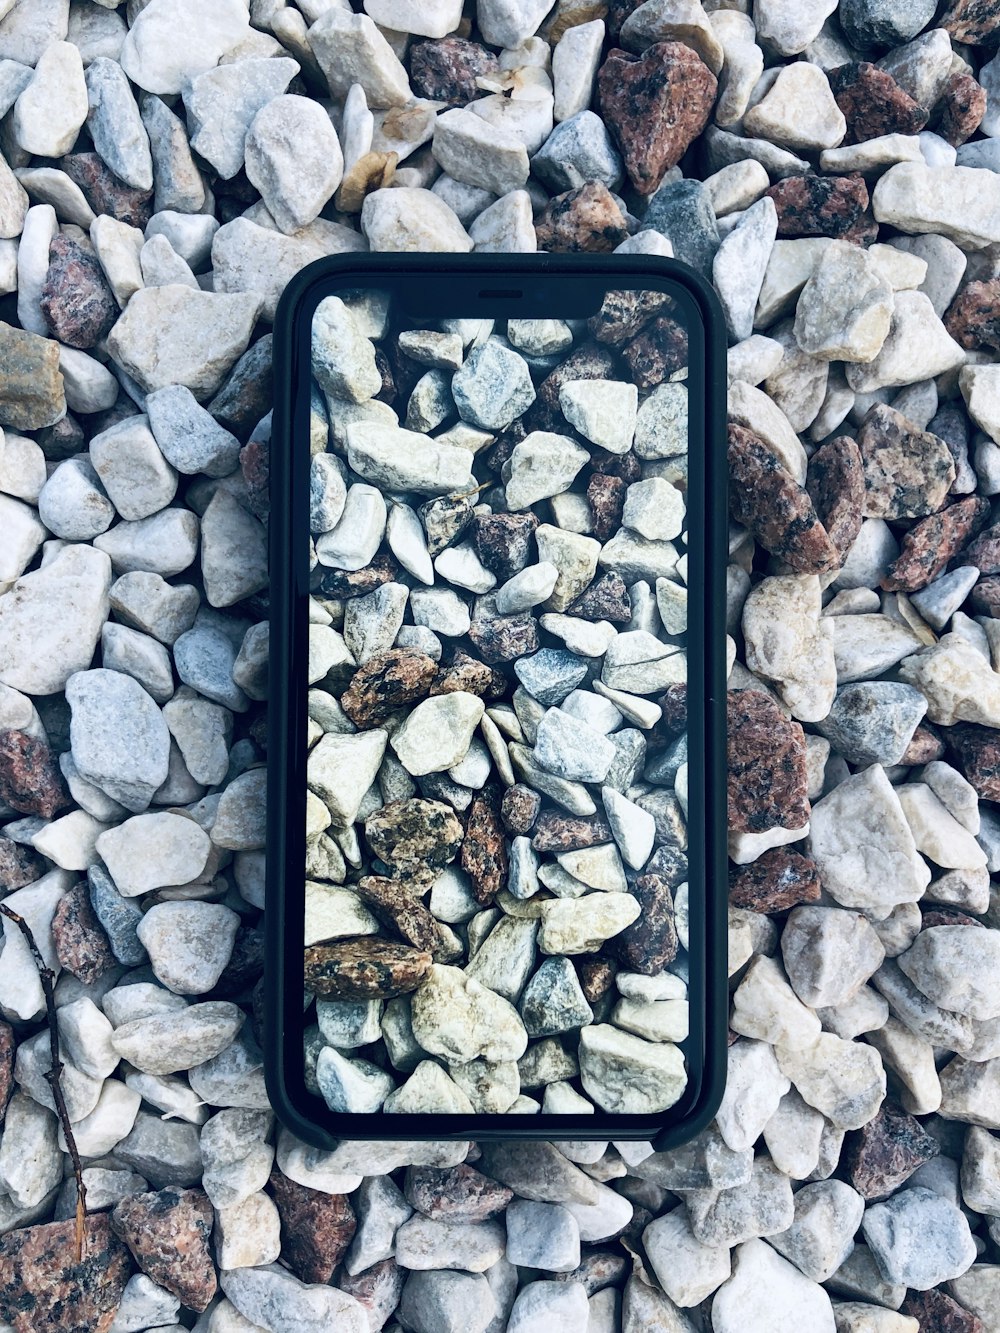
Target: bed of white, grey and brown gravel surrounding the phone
x=166, y=167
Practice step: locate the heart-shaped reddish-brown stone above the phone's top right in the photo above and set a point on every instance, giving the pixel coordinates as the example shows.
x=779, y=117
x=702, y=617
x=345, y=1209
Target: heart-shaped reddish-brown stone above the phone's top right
x=655, y=106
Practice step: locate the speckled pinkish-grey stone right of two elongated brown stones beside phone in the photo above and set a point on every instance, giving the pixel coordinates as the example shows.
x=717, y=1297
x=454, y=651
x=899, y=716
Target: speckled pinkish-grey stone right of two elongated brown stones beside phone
x=909, y=473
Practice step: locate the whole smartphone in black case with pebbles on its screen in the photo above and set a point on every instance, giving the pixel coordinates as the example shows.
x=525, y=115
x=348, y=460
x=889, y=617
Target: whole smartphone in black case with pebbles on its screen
x=497, y=846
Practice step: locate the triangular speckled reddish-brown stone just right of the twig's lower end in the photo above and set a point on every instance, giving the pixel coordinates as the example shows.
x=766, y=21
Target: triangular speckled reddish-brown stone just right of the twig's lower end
x=169, y=1232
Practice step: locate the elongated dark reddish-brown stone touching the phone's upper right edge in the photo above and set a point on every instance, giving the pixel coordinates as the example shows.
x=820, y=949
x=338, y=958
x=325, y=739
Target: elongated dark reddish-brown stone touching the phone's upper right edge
x=767, y=501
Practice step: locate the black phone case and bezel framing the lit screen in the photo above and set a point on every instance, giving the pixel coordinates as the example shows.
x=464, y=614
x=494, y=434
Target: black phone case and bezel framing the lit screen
x=490, y=283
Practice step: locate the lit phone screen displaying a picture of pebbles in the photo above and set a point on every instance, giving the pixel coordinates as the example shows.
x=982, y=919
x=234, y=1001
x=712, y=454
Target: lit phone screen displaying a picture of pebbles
x=497, y=895
